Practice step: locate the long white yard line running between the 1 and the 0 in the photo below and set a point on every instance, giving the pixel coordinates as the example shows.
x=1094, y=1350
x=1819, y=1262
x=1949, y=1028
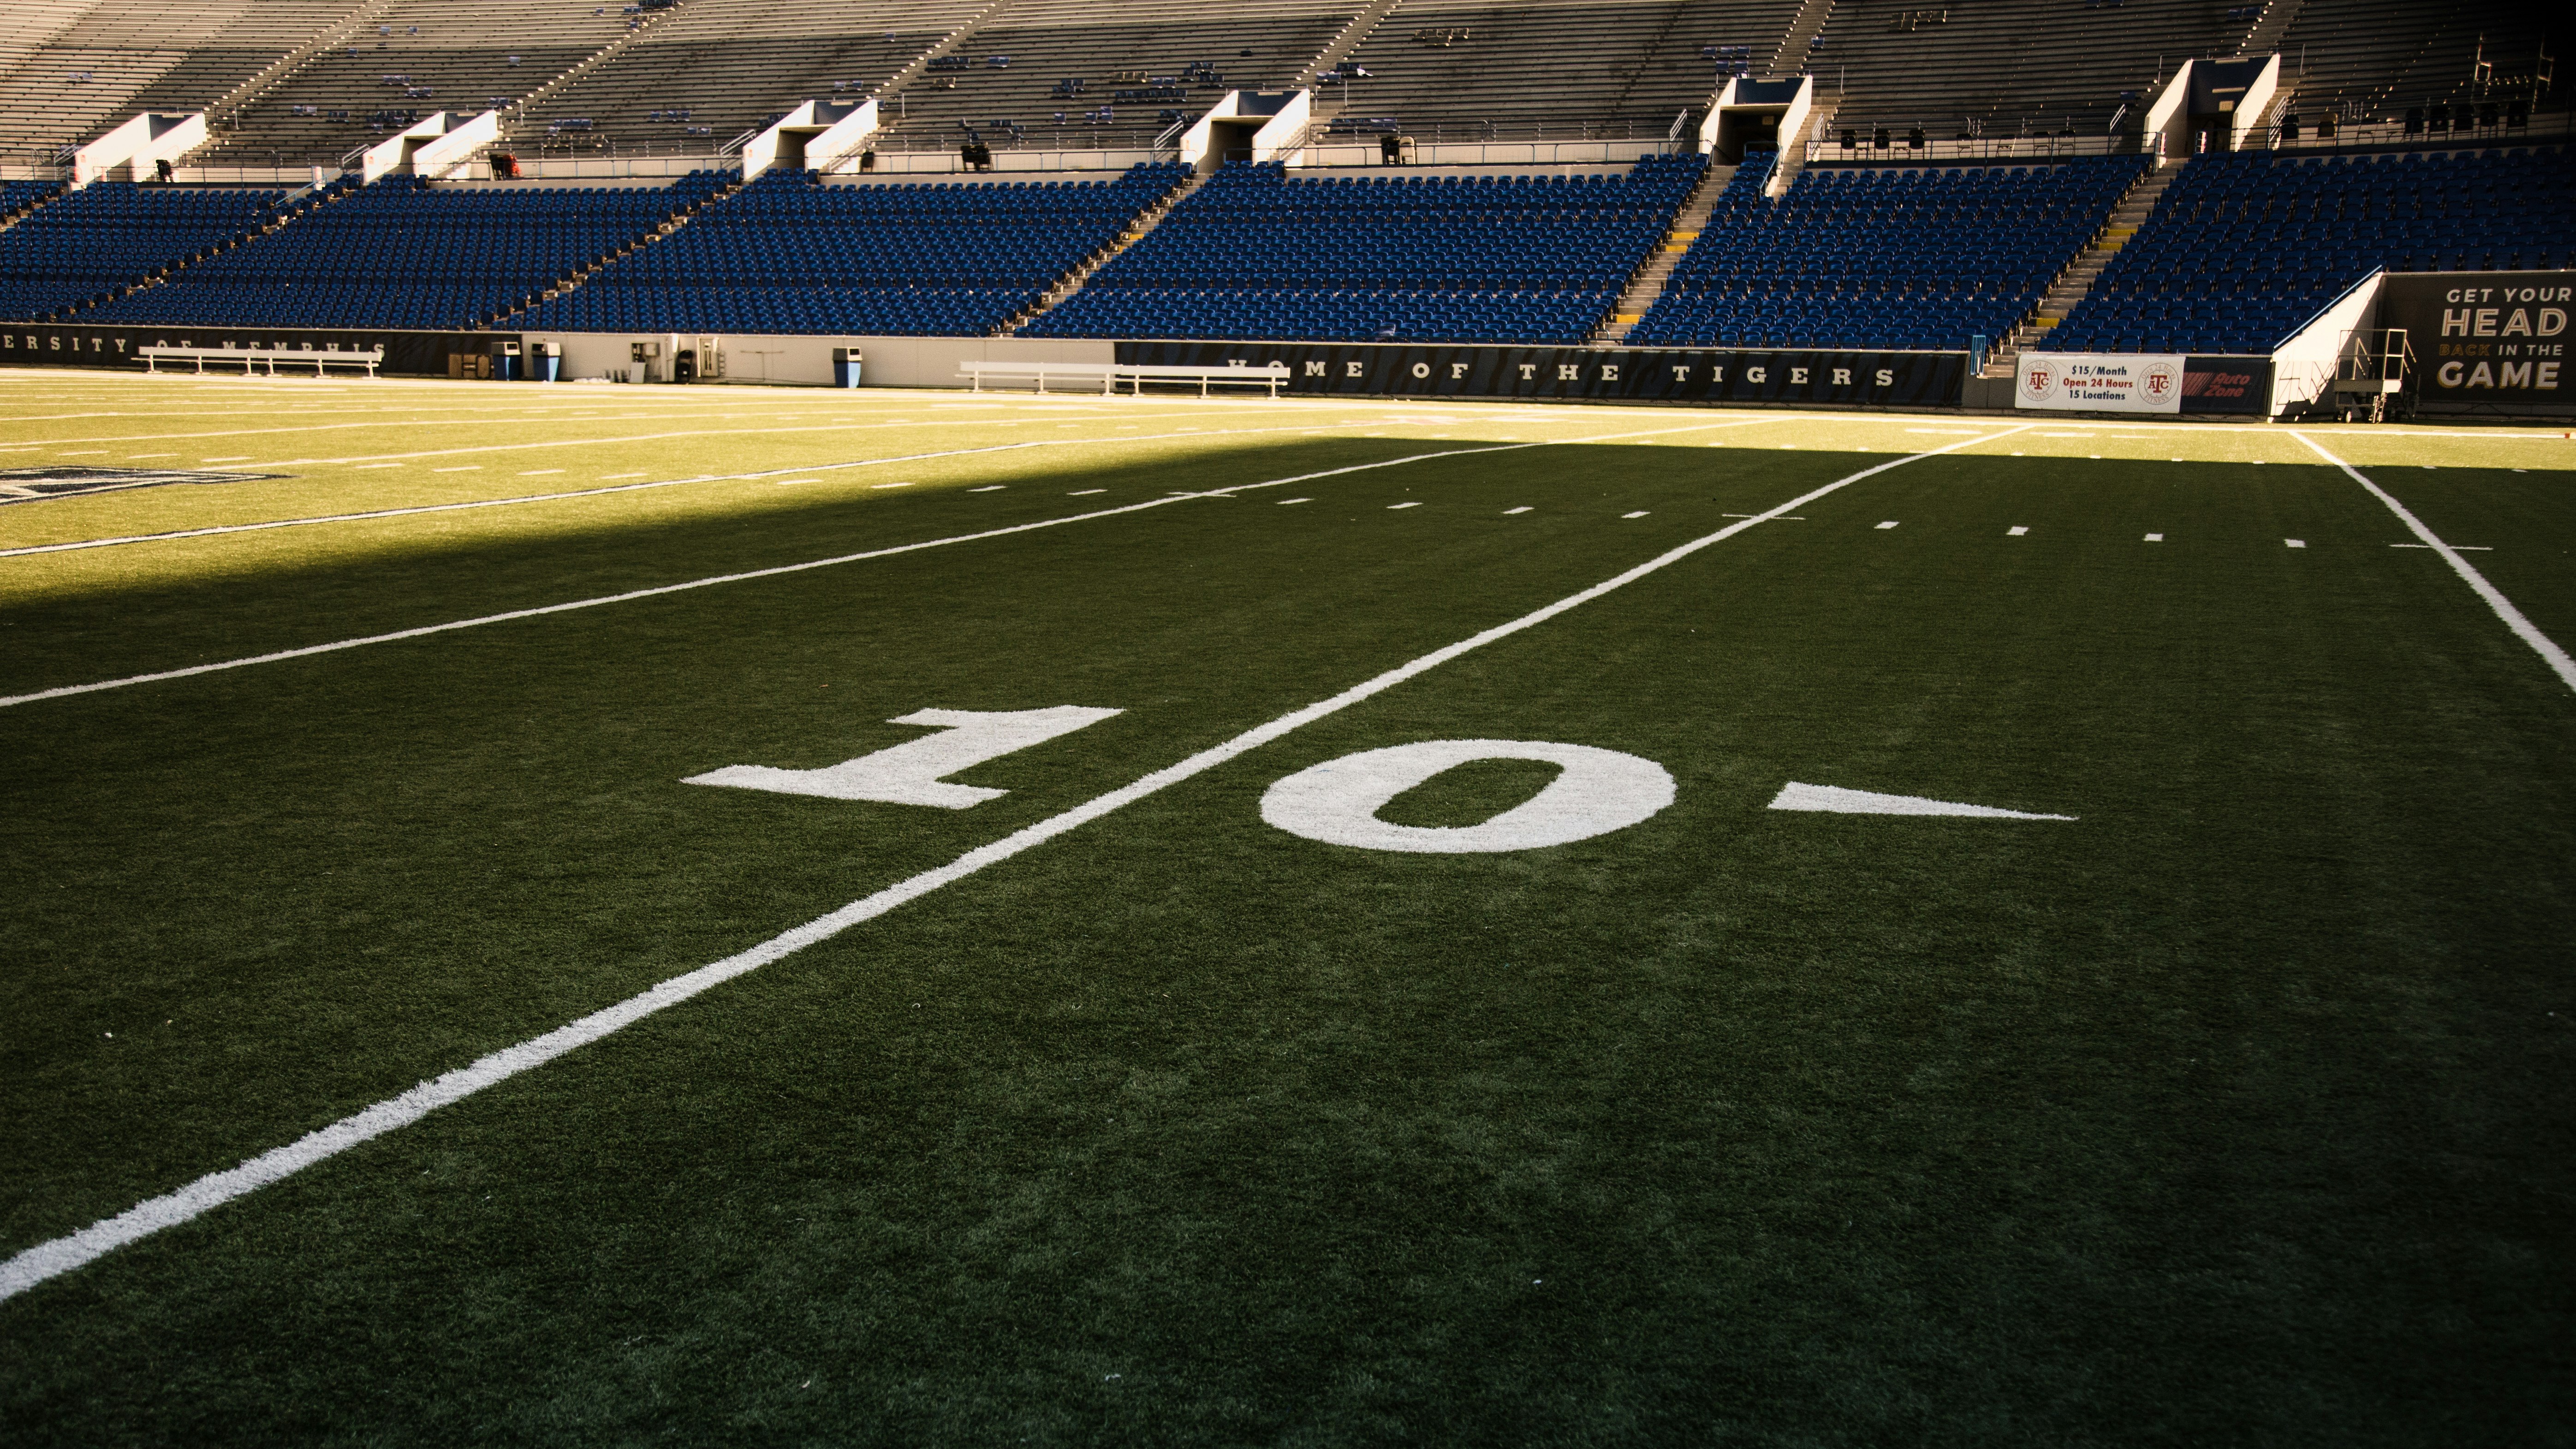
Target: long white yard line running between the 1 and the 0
x=63, y=1255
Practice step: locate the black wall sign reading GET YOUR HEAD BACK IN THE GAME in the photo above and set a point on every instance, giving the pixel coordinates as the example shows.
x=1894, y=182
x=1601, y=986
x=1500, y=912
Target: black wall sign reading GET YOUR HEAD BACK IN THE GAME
x=2487, y=341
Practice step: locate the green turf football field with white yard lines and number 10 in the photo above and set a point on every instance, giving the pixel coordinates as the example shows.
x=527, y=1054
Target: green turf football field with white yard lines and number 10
x=576, y=915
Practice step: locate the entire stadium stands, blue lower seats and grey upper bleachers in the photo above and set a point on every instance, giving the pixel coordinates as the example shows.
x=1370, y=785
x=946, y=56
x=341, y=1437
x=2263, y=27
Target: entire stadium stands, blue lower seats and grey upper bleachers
x=1859, y=254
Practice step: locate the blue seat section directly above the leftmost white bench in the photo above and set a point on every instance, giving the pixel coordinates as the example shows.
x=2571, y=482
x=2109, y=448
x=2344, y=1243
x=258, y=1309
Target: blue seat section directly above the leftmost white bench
x=403, y=254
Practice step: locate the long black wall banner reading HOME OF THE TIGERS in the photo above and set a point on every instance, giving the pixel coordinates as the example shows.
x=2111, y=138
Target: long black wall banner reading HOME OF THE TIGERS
x=1374, y=369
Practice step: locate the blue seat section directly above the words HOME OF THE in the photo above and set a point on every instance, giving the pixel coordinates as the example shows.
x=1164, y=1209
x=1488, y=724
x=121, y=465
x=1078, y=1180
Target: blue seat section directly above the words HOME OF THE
x=1454, y=259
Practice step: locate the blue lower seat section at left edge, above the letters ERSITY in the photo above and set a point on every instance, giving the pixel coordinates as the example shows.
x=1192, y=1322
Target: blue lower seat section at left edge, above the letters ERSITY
x=112, y=235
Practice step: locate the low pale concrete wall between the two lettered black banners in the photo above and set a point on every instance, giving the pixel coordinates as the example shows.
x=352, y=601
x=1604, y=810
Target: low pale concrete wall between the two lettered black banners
x=769, y=359
